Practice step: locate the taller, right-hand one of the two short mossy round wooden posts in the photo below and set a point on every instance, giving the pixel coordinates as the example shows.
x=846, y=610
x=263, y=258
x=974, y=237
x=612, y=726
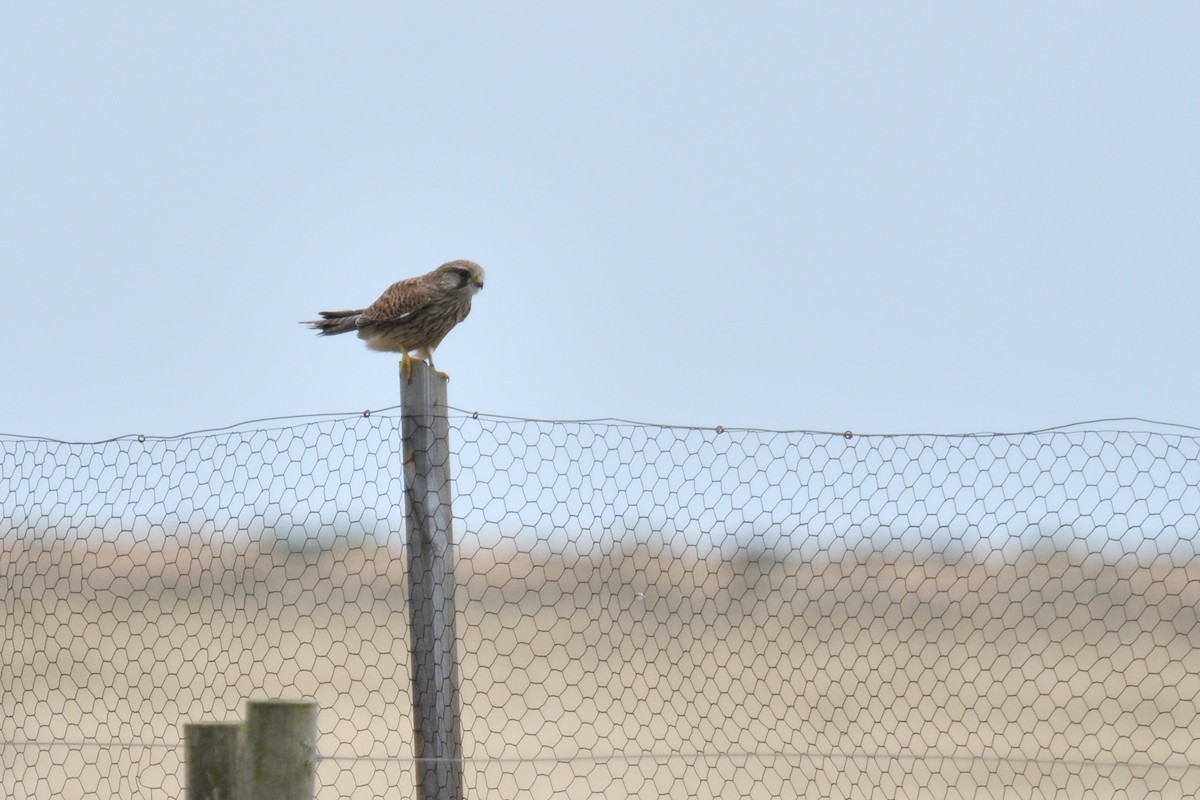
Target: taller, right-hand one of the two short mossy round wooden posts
x=280, y=751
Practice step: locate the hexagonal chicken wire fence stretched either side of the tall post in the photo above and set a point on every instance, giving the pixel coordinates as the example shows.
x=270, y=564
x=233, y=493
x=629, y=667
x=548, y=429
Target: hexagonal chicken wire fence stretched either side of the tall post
x=643, y=611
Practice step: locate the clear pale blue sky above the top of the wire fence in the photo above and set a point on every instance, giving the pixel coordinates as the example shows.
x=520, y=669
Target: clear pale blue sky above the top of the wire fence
x=883, y=218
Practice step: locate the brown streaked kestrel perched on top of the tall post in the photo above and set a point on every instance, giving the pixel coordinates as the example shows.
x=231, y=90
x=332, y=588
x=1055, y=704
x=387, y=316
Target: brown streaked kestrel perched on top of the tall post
x=412, y=315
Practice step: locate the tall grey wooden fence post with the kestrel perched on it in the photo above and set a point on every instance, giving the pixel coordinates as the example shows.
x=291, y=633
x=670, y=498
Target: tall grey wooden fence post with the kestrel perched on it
x=437, y=738
